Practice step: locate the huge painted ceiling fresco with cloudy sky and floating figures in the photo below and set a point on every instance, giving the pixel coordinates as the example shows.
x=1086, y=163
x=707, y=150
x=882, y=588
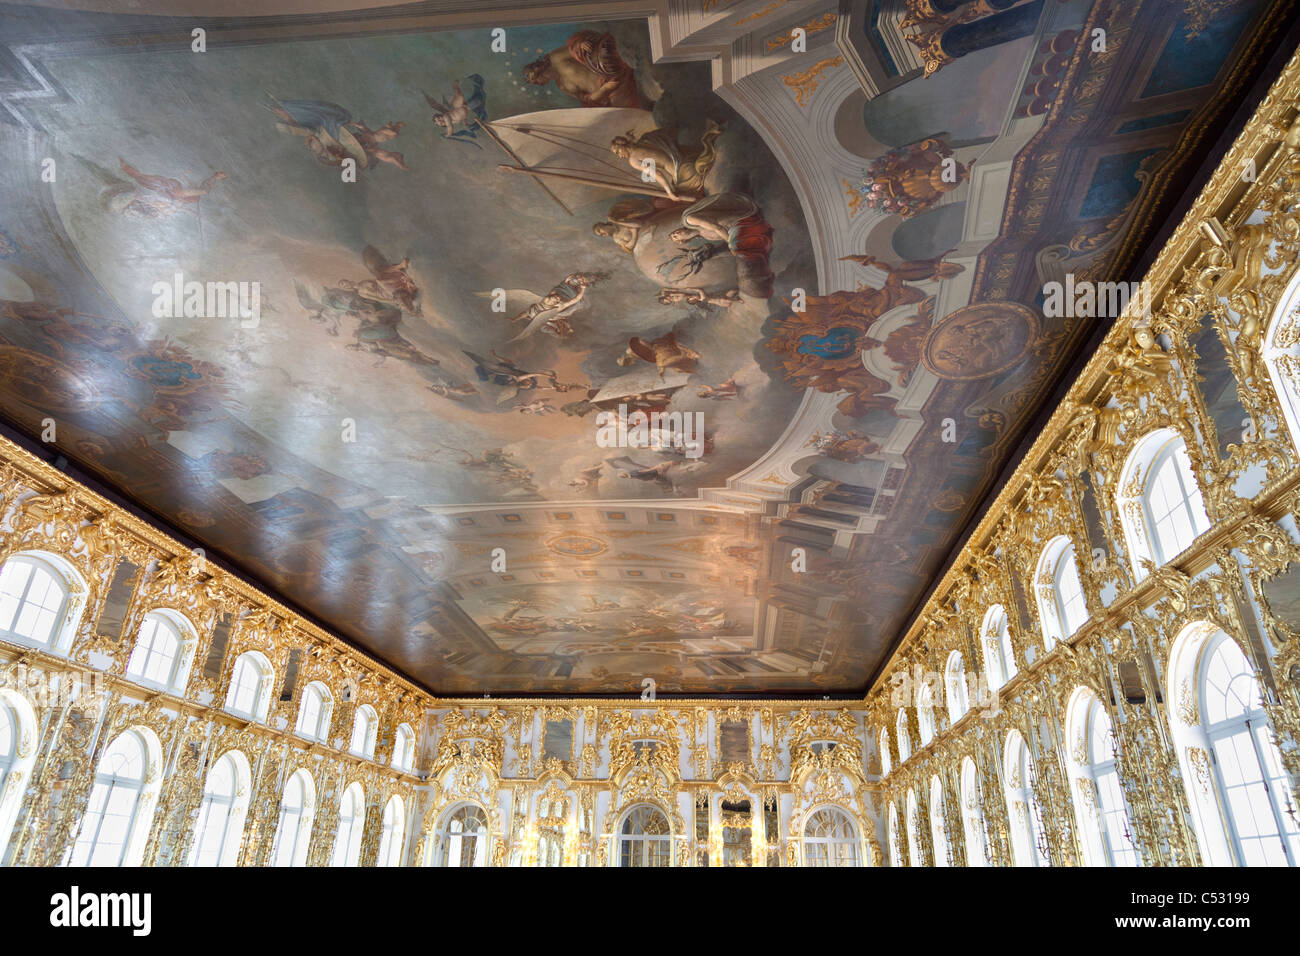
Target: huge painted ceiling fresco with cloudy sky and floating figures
x=428, y=427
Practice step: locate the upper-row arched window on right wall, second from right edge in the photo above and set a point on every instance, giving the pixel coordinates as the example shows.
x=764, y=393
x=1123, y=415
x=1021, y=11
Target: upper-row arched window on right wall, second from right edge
x=1160, y=504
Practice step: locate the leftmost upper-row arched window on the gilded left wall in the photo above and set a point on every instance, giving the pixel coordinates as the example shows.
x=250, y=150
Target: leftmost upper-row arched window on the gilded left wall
x=41, y=600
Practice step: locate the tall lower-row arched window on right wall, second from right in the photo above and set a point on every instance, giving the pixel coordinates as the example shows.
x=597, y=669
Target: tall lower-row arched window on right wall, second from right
x=1099, y=798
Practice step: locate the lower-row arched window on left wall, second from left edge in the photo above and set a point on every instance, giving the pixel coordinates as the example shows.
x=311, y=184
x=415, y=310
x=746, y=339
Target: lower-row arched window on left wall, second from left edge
x=118, y=817
